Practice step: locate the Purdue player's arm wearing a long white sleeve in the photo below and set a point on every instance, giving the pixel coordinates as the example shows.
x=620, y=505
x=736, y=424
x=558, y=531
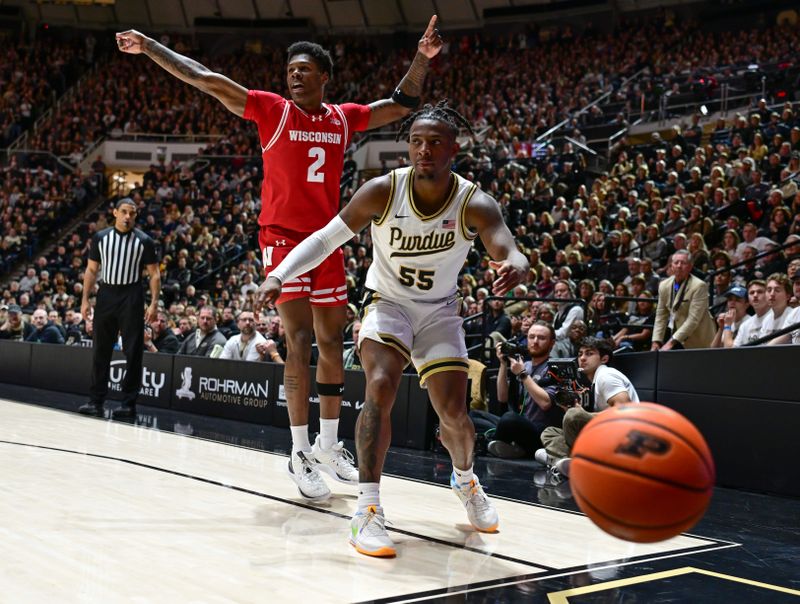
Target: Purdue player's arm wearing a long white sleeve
x=368, y=203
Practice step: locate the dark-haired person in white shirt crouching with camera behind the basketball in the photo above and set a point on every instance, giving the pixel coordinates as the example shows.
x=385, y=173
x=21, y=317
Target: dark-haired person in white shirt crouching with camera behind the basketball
x=607, y=387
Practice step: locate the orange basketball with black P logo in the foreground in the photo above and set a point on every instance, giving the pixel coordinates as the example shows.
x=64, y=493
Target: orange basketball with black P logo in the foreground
x=642, y=472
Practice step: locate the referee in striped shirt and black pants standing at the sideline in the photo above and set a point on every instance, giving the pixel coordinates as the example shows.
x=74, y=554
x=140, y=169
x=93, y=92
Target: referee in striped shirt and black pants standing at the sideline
x=118, y=253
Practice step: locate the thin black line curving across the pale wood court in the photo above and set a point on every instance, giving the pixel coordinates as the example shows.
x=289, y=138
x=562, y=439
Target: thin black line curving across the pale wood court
x=286, y=501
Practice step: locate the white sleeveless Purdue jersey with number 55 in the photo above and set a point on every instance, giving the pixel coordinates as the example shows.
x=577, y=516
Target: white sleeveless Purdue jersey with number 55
x=414, y=256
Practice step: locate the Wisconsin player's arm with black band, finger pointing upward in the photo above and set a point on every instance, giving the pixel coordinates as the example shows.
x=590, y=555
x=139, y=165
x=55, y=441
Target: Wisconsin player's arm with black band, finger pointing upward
x=407, y=94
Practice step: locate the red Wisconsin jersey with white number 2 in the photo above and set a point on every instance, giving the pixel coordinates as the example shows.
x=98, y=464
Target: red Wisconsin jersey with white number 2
x=303, y=159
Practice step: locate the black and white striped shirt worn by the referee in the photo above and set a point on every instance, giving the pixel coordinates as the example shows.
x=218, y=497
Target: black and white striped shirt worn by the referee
x=122, y=256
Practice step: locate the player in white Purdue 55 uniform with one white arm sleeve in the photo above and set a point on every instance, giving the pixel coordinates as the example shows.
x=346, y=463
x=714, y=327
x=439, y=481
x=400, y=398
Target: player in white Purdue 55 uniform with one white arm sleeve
x=424, y=220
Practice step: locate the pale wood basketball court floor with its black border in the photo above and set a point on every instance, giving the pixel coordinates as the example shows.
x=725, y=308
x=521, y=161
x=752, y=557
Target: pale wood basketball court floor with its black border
x=182, y=508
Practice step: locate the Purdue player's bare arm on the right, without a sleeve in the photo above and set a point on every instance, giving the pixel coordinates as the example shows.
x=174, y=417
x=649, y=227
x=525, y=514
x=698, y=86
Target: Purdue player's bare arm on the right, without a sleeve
x=483, y=215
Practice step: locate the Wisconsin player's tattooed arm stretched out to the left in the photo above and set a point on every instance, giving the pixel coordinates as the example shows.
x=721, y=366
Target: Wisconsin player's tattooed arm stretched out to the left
x=222, y=88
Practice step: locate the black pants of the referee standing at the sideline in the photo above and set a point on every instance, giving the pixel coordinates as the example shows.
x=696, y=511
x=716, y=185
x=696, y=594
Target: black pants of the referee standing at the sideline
x=119, y=309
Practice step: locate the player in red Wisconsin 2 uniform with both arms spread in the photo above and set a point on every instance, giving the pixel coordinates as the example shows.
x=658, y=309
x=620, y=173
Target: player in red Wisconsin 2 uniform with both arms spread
x=303, y=141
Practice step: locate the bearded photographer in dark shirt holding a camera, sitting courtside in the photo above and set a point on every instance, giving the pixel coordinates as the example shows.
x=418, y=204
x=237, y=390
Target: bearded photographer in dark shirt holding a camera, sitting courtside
x=518, y=431
